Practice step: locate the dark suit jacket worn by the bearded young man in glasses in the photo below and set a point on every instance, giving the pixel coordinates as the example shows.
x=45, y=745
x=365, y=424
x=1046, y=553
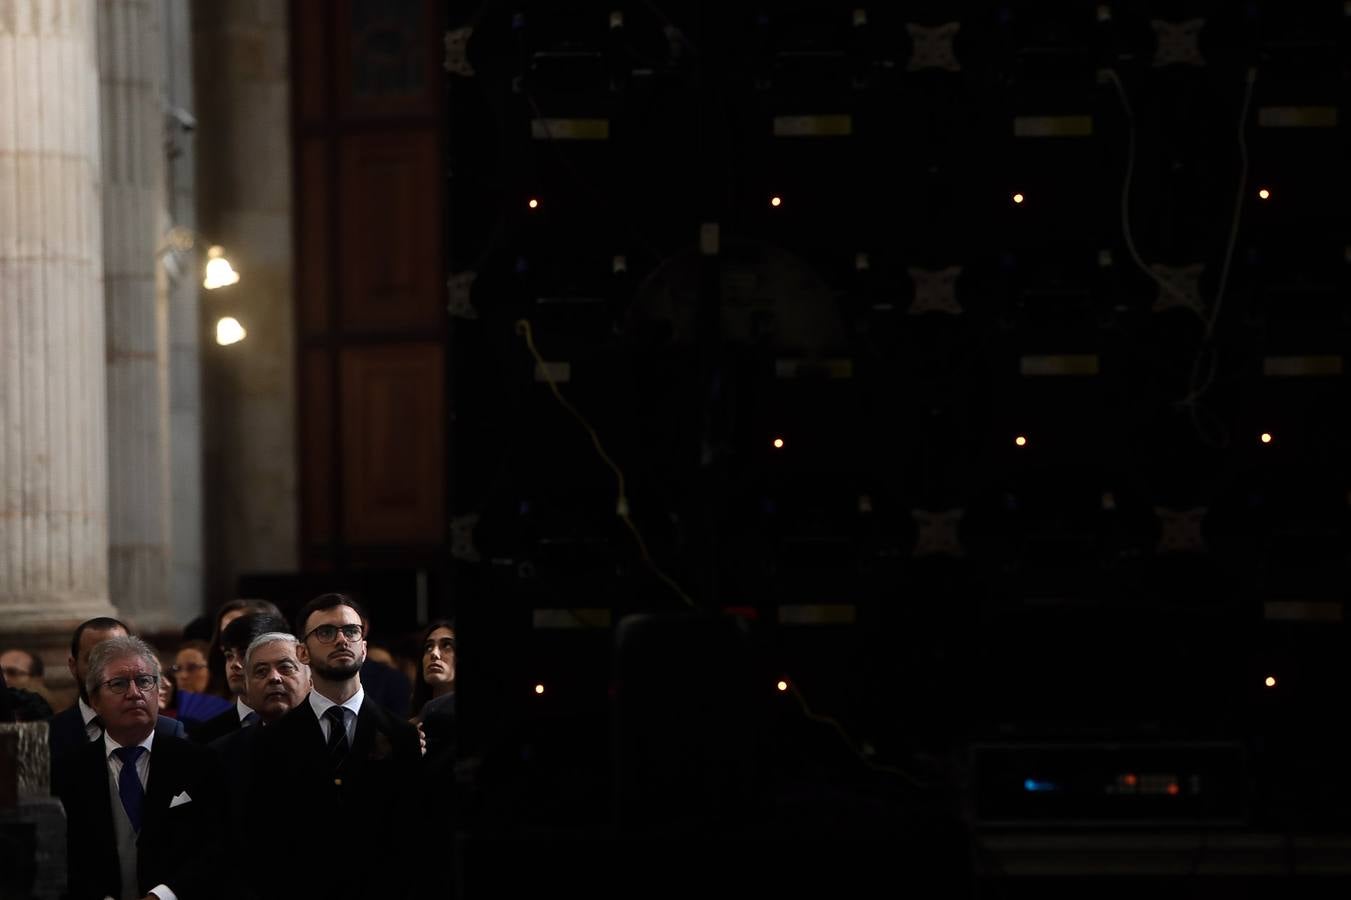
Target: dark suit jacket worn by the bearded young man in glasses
x=367, y=807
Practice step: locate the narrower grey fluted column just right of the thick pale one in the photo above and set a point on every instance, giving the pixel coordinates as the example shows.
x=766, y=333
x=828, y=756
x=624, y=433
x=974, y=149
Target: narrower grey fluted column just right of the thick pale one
x=130, y=47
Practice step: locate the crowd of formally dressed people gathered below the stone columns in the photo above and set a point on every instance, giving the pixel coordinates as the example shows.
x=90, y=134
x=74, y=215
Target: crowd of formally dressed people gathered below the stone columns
x=244, y=764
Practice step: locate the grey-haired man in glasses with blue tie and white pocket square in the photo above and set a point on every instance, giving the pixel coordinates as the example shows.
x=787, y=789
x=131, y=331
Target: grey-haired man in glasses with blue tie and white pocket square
x=144, y=811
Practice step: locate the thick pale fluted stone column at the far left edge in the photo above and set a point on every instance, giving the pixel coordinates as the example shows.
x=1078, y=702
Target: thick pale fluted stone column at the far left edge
x=53, y=447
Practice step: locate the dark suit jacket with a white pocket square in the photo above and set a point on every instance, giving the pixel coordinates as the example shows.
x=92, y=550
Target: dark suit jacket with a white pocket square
x=178, y=847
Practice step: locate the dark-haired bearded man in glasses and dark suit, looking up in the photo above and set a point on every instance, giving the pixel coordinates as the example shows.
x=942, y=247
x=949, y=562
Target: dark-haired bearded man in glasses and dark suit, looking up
x=348, y=766
